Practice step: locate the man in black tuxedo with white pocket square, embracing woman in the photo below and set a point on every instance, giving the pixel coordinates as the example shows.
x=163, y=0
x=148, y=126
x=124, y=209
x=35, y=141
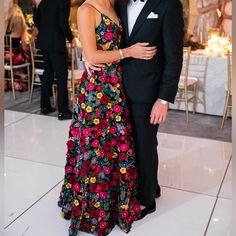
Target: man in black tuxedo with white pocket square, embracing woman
x=152, y=84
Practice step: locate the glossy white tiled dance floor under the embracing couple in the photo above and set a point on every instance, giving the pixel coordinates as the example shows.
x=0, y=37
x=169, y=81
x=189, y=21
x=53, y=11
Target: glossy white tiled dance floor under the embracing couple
x=195, y=175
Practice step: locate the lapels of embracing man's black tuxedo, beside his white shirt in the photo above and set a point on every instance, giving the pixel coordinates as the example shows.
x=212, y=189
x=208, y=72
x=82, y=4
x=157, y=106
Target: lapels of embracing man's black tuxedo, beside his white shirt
x=148, y=7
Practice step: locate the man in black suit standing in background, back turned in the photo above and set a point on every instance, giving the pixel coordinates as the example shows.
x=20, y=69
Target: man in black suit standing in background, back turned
x=52, y=21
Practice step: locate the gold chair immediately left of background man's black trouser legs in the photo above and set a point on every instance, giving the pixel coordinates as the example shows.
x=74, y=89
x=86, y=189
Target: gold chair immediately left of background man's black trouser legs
x=37, y=71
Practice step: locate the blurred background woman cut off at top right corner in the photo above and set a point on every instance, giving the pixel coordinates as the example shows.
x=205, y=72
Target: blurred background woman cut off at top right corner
x=225, y=21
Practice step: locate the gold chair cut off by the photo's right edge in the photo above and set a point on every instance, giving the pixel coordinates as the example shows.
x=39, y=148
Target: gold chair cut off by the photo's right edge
x=228, y=99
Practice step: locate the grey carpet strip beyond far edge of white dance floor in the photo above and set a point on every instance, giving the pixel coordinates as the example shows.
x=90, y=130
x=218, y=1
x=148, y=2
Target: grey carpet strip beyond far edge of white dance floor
x=200, y=125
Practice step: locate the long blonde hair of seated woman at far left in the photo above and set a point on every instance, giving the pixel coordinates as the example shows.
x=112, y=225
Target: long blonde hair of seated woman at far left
x=16, y=20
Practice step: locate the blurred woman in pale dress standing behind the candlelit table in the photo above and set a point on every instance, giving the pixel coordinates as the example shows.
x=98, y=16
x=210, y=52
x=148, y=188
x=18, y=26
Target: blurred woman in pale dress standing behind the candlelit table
x=207, y=19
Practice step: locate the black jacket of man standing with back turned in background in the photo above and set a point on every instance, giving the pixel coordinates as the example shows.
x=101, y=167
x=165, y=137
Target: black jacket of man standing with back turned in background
x=52, y=20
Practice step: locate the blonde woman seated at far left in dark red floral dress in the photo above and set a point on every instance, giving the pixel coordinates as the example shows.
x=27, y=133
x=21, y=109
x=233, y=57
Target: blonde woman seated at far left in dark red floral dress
x=17, y=29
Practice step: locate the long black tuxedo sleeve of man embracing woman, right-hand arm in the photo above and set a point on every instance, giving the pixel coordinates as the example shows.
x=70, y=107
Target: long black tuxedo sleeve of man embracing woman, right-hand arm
x=173, y=36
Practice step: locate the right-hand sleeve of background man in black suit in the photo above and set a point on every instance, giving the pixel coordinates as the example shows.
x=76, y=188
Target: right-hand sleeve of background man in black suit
x=64, y=19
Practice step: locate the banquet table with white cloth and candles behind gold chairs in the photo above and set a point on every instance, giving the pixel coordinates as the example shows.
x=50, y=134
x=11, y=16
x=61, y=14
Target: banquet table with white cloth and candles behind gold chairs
x=215, y=86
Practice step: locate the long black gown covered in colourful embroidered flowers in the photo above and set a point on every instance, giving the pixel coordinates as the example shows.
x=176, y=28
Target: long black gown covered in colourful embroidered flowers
x=100, y=184
